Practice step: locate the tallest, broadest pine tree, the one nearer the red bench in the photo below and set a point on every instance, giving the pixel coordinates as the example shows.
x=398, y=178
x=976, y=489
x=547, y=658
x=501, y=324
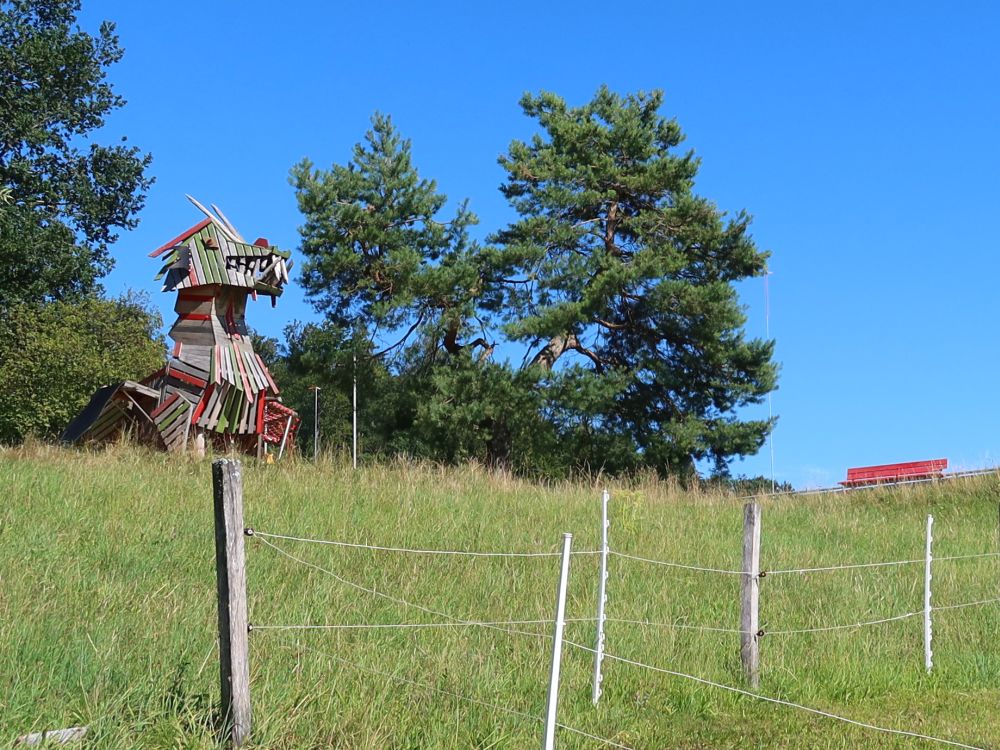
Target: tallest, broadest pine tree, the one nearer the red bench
x=618, y=267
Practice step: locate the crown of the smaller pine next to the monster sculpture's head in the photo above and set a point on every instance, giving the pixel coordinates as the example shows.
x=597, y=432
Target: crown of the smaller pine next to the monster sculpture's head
x=379, y=257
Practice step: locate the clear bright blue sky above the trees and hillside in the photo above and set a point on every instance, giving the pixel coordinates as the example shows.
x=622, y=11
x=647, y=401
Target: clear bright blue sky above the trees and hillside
x=861, y=136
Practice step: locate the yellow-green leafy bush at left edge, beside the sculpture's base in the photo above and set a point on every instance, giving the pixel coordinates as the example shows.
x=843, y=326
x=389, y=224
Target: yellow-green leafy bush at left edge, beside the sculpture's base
x=54, y=356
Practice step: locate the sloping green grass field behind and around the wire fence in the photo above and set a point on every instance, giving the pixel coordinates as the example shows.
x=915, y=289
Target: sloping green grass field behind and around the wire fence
x=108, y=613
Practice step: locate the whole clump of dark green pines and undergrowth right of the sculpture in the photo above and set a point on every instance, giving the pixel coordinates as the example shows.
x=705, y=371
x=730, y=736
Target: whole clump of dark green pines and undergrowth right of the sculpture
x=617, y=279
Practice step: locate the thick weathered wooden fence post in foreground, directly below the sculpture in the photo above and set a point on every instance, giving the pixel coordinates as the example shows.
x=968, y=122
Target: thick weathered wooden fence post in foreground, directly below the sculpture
x=230, y=566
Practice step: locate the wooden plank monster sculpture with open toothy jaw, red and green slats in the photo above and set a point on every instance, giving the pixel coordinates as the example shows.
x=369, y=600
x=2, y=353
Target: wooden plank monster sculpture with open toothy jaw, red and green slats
x=213, y=386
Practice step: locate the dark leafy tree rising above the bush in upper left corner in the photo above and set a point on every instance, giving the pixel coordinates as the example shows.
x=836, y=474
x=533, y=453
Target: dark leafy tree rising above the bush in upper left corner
x=60, y=199
